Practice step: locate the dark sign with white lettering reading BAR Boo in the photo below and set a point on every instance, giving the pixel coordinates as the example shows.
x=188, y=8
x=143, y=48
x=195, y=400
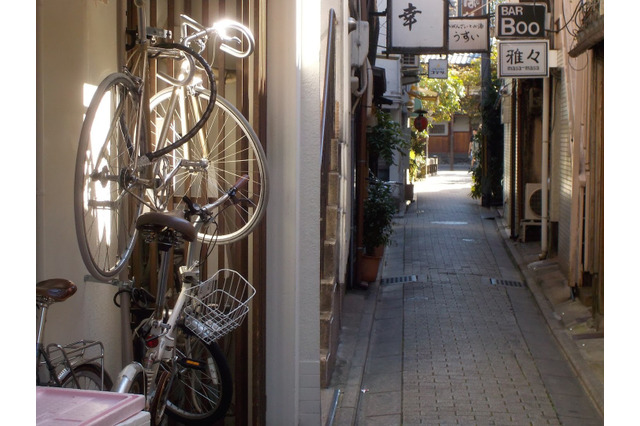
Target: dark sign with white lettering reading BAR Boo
x=521, y=20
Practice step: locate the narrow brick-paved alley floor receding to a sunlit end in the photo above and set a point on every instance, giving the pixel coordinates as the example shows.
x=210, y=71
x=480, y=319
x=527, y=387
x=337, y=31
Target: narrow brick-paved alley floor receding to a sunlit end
x=452, y=333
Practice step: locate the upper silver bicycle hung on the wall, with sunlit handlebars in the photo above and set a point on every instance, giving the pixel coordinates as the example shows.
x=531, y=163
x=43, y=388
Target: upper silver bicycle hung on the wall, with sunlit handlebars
x=135, y=153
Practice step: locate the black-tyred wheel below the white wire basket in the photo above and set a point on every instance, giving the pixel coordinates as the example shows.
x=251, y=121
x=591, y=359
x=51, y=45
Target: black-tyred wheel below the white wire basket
x=202, y=388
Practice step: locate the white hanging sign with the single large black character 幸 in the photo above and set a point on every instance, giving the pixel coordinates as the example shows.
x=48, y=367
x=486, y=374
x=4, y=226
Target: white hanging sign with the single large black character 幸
x=417, y=26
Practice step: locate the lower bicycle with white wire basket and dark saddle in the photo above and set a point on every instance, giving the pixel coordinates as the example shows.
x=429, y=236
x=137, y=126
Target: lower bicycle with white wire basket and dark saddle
x=181, y=369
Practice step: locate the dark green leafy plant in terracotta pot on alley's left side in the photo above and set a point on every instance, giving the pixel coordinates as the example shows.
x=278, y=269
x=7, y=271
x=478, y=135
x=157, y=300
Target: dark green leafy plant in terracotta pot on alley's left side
x=379, y=208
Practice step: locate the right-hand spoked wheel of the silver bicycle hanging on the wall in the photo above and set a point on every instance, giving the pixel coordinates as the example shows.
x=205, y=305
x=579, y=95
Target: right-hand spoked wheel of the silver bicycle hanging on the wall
x=225, y=149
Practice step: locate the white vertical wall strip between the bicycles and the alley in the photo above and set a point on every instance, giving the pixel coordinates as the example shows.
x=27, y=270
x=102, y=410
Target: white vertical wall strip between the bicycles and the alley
x=293, y=249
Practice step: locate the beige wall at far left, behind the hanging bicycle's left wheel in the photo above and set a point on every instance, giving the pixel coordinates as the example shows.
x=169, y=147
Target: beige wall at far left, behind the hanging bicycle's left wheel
x=75, y=45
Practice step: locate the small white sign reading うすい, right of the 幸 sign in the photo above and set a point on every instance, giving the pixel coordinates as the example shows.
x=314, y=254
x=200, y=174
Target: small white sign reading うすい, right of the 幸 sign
x=469, y=35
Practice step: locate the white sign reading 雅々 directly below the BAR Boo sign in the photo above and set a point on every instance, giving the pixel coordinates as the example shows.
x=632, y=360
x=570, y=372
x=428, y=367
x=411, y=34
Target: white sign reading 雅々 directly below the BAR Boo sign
x=523, y=59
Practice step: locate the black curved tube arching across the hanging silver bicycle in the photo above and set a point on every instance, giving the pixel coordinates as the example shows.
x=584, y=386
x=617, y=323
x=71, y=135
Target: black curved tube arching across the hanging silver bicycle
x=164, y=149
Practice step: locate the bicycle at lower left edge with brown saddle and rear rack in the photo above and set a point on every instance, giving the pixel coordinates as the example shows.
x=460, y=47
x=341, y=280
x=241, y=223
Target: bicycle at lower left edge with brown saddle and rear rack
x=77, y=365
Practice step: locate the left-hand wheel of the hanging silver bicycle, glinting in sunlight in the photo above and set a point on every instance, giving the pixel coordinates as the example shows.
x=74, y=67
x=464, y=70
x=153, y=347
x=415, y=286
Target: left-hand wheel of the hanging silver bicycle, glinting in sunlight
x=107, y=189
